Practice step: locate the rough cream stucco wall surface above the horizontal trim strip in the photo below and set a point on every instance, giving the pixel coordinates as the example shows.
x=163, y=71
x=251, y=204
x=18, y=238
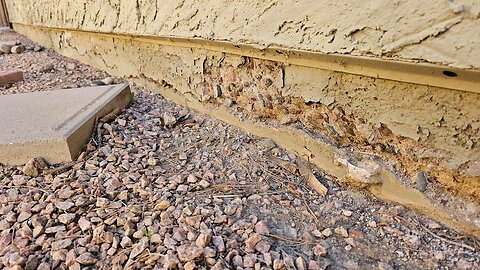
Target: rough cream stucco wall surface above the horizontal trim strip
x=436, y=31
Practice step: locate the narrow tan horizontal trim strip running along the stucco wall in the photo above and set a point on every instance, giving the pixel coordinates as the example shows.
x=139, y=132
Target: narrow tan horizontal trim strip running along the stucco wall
x=410, y=72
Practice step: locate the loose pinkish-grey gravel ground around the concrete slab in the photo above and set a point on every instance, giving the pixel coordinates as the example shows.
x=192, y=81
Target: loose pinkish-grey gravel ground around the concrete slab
x=196, y=194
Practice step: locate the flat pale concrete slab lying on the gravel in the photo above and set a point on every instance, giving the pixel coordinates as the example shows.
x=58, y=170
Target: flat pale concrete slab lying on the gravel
x=54, y=125
